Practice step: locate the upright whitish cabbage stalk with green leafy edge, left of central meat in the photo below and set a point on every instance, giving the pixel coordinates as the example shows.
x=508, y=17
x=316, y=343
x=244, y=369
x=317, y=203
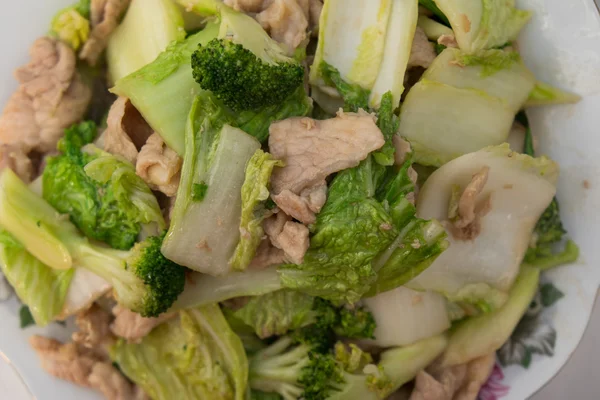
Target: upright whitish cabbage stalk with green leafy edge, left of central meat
x=204, y=235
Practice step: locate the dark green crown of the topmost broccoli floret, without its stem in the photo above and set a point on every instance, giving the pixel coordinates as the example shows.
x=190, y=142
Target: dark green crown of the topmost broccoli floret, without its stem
x=242, y=80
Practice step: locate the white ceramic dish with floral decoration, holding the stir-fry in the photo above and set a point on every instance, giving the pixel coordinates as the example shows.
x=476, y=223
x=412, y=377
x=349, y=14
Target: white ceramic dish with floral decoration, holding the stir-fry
x=561, y=45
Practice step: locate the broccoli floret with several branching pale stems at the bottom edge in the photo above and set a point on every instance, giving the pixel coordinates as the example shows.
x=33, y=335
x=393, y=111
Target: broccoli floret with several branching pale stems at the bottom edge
x=307, y=363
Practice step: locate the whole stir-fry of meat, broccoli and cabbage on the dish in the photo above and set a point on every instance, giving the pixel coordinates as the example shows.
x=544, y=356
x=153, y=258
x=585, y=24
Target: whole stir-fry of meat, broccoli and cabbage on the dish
x=388, y=237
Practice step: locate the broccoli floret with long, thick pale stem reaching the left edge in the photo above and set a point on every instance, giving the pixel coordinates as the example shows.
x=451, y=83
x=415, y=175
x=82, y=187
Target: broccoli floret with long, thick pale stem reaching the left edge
x=143, y=279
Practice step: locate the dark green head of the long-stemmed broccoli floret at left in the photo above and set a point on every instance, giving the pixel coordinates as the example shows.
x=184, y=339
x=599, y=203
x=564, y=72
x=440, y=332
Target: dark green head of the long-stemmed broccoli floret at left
x=163, y=280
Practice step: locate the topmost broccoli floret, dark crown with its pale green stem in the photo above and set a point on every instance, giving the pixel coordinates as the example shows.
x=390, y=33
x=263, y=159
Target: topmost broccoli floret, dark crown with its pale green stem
x=244, y=67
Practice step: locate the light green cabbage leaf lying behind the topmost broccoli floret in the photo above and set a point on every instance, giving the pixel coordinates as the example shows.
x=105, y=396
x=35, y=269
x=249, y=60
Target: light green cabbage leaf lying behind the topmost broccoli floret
x=164, y=91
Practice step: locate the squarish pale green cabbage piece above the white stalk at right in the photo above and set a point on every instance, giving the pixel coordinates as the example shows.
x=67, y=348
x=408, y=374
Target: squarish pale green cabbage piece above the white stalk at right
x=471, y=97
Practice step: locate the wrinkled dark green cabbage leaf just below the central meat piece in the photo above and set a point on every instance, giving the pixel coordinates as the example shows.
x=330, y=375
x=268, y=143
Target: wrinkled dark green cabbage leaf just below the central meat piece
x=363, y=229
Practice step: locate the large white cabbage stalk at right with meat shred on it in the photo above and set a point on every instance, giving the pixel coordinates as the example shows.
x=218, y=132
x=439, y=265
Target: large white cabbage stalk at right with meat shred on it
x=481, y=269
